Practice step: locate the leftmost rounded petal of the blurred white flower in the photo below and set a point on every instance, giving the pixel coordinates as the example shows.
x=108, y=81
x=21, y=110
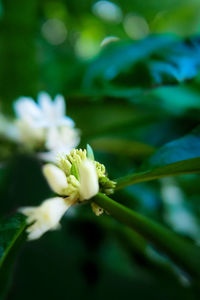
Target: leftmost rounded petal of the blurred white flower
x=27, y=109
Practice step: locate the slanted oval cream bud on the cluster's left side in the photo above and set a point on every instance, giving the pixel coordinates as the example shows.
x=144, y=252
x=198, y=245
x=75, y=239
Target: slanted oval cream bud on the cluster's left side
x=56, y=178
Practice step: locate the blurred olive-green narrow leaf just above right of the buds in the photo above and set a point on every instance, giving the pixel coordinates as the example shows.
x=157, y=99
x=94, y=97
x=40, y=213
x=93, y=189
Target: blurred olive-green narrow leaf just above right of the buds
x=122, y=147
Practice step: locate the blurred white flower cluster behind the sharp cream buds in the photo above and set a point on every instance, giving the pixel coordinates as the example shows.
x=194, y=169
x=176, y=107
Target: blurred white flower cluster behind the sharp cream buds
x=43, y=125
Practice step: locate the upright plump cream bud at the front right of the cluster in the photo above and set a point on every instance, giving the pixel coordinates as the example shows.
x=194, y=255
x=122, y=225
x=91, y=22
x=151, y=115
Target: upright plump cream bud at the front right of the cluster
x=89, y=185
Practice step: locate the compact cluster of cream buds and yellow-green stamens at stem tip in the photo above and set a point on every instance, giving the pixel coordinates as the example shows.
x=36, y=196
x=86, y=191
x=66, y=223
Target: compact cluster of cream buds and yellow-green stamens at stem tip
x=78, y=176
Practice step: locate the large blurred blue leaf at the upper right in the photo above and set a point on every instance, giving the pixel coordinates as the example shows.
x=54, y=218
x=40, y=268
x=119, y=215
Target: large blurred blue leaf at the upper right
x=158, y=59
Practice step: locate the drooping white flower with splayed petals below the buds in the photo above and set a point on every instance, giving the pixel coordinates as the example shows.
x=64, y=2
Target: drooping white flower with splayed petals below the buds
x=45, y=217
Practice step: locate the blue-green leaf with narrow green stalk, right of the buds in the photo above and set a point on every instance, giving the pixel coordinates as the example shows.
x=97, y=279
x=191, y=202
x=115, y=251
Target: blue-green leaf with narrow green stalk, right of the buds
x=179, y=157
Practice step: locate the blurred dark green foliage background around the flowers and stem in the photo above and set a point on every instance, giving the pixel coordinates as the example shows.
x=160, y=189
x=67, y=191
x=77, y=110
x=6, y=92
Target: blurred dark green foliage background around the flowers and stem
x=129, y=70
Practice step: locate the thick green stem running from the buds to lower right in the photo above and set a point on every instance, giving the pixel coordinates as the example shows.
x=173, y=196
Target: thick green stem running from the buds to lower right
x=184, y=254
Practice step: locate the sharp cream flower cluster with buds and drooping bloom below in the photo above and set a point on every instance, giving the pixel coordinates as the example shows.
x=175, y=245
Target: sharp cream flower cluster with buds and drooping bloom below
x=76, y=178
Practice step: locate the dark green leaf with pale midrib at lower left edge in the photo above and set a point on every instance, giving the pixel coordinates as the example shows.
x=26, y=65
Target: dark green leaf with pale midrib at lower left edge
x=12, y=236
